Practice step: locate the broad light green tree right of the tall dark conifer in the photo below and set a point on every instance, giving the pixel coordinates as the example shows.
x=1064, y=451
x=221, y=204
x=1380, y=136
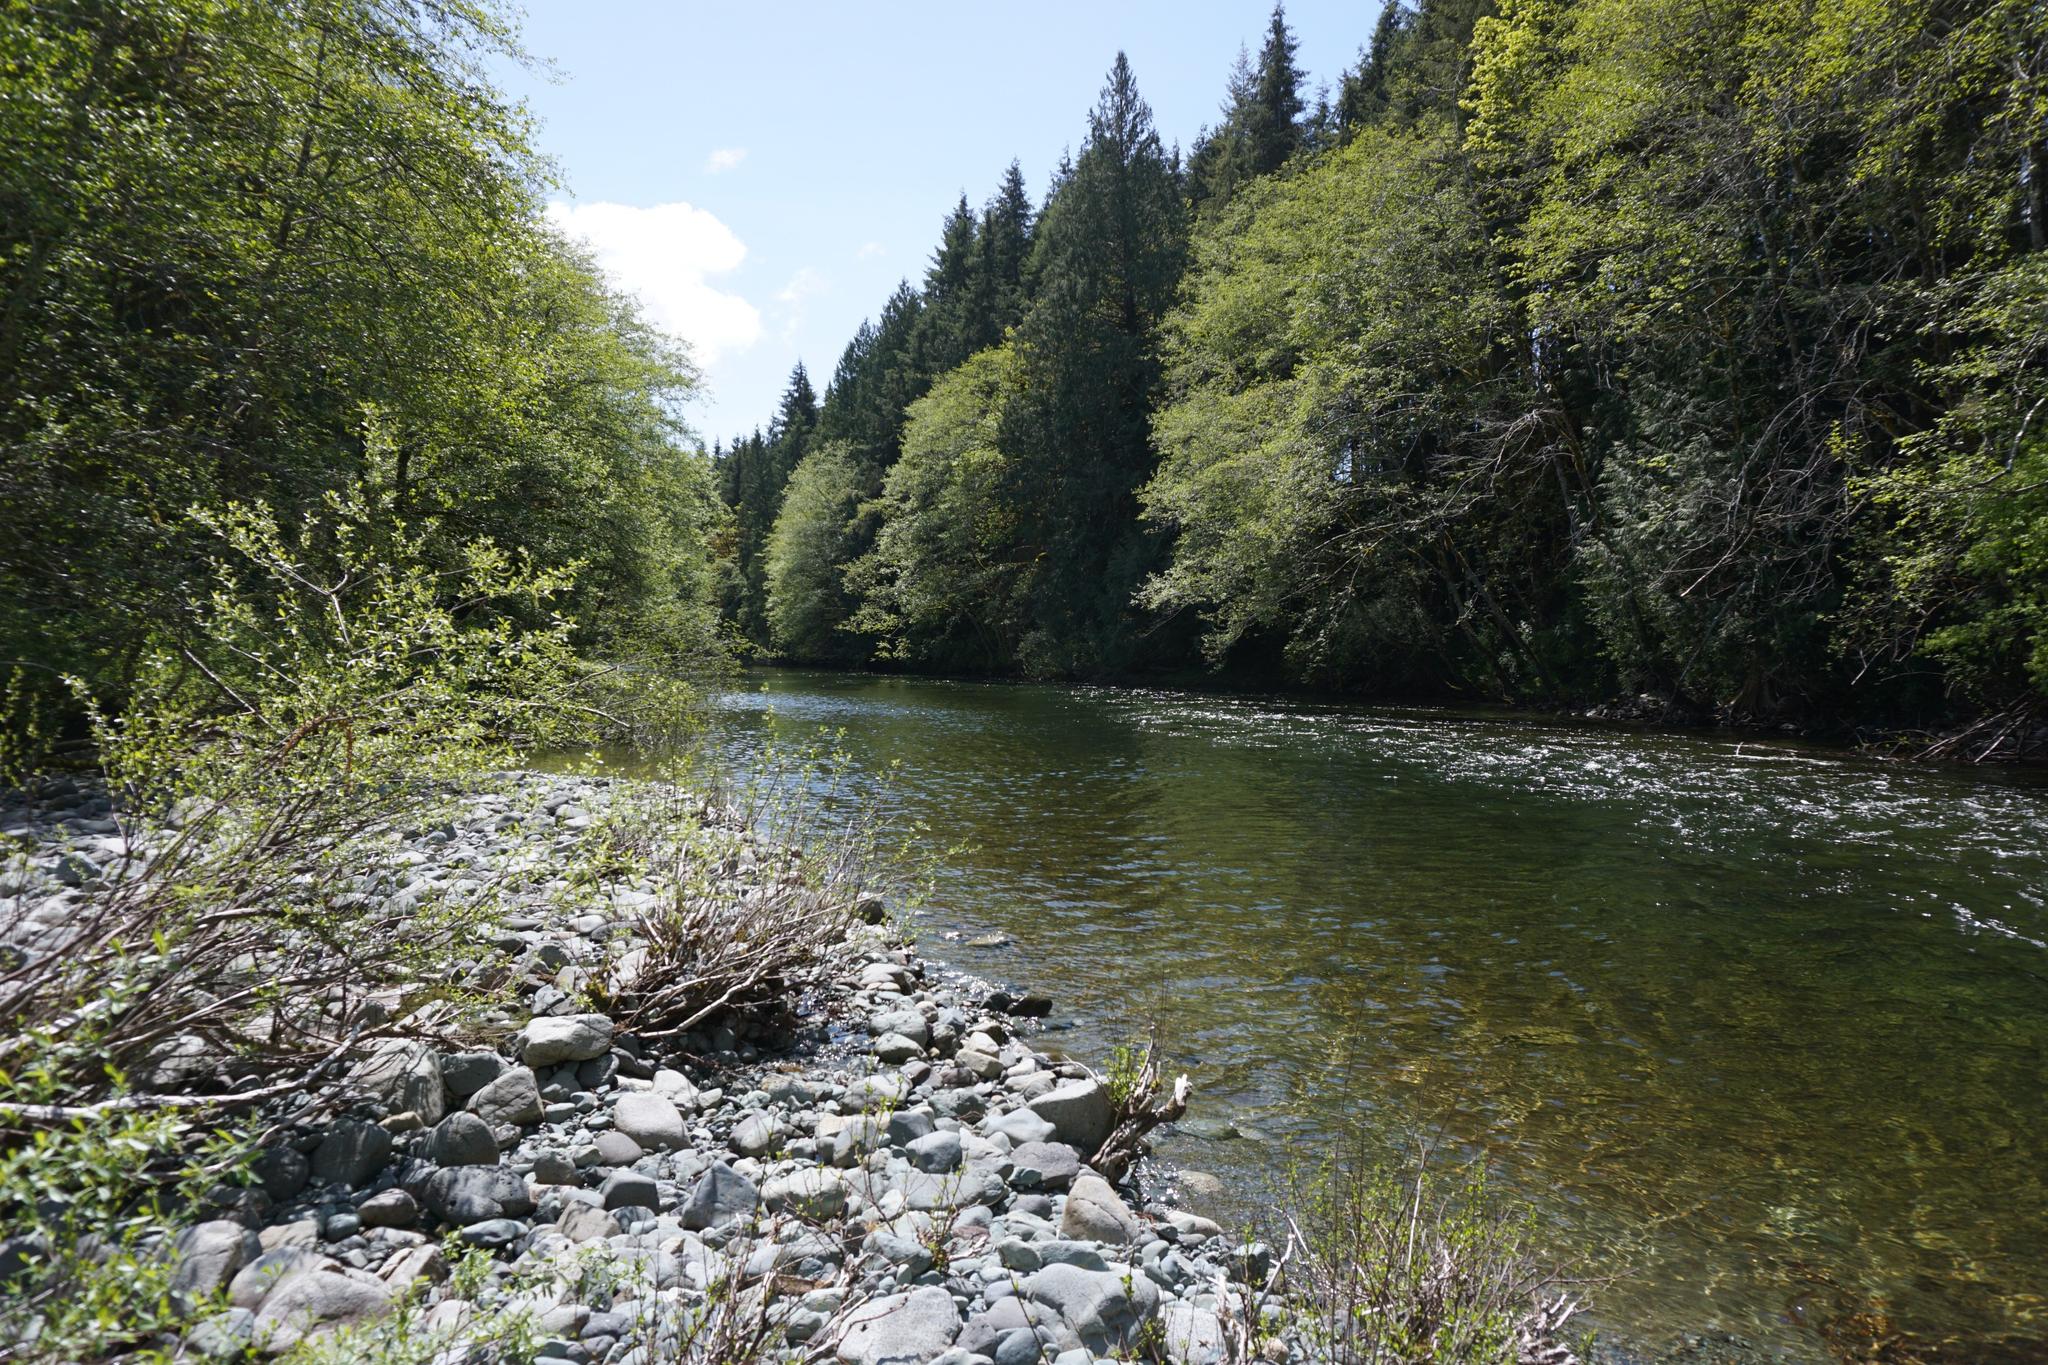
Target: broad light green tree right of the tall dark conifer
x=1340, y=441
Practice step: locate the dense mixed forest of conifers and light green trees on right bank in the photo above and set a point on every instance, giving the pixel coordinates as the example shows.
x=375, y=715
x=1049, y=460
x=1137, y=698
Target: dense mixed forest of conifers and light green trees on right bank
x=1568, y=353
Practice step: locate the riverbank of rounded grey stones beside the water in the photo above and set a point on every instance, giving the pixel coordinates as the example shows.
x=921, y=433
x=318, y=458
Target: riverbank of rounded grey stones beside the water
x=892, y=1170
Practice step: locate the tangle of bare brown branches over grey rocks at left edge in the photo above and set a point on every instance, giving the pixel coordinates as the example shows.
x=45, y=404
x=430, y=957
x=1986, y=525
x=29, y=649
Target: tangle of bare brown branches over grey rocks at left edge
x=234, y=955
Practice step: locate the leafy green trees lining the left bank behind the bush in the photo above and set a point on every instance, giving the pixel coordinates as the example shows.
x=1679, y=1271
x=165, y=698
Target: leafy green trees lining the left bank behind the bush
x=288, y=267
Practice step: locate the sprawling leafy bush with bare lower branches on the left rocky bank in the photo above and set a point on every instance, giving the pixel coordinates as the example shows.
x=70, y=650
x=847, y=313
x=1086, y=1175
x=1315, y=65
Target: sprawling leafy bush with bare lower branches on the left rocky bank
x=331, y=697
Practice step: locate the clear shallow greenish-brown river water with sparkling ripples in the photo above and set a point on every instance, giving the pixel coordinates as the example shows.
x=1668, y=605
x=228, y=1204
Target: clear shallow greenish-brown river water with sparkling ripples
x=1760, y=1028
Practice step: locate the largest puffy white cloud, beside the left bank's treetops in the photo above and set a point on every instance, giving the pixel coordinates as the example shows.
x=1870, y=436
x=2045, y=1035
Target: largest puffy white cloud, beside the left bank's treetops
x=665, y=255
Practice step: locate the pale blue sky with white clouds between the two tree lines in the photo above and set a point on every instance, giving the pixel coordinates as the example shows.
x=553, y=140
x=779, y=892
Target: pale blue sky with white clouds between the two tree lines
x=763, y=175
